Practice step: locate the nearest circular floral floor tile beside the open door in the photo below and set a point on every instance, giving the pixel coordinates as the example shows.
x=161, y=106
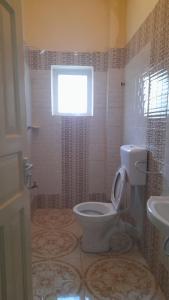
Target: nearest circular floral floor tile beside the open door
x=55, y=279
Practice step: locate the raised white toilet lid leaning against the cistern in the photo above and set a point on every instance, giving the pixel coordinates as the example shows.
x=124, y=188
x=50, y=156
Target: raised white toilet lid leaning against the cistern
x=118, y=187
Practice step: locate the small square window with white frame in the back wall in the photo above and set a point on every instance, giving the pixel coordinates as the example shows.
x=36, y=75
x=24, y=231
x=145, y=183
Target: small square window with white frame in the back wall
x=72, y=90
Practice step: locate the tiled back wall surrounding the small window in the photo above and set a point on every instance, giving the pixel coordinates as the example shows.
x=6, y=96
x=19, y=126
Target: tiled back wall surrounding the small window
x=75, y=158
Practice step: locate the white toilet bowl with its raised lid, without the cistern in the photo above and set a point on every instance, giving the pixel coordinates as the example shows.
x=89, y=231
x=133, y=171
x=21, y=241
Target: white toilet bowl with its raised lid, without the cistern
x=98, y=219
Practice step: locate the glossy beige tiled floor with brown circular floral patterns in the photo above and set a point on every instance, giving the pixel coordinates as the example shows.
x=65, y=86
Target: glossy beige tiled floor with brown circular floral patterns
x=62, y=271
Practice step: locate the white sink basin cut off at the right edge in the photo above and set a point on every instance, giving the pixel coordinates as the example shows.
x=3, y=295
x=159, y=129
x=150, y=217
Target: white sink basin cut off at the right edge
x=158, y=212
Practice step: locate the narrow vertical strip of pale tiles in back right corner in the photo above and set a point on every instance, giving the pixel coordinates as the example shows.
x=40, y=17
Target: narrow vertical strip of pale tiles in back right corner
x=114, y=123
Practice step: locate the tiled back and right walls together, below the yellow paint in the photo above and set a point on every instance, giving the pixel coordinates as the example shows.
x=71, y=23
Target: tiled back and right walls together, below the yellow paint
x=75, y=159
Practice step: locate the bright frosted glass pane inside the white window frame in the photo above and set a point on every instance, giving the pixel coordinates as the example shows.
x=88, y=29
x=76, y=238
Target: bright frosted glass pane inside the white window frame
x=72, y=94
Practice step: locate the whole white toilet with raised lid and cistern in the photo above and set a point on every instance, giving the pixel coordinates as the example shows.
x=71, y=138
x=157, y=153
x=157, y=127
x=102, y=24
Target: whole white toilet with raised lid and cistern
x=98, y=219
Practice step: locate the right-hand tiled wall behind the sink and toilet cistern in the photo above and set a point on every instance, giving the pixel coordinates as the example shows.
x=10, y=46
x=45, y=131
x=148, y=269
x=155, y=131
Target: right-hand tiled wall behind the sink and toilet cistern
x=146, y=120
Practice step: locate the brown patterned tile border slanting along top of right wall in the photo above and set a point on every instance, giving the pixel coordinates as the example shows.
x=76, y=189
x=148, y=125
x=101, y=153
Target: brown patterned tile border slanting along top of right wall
x=155, y=30
